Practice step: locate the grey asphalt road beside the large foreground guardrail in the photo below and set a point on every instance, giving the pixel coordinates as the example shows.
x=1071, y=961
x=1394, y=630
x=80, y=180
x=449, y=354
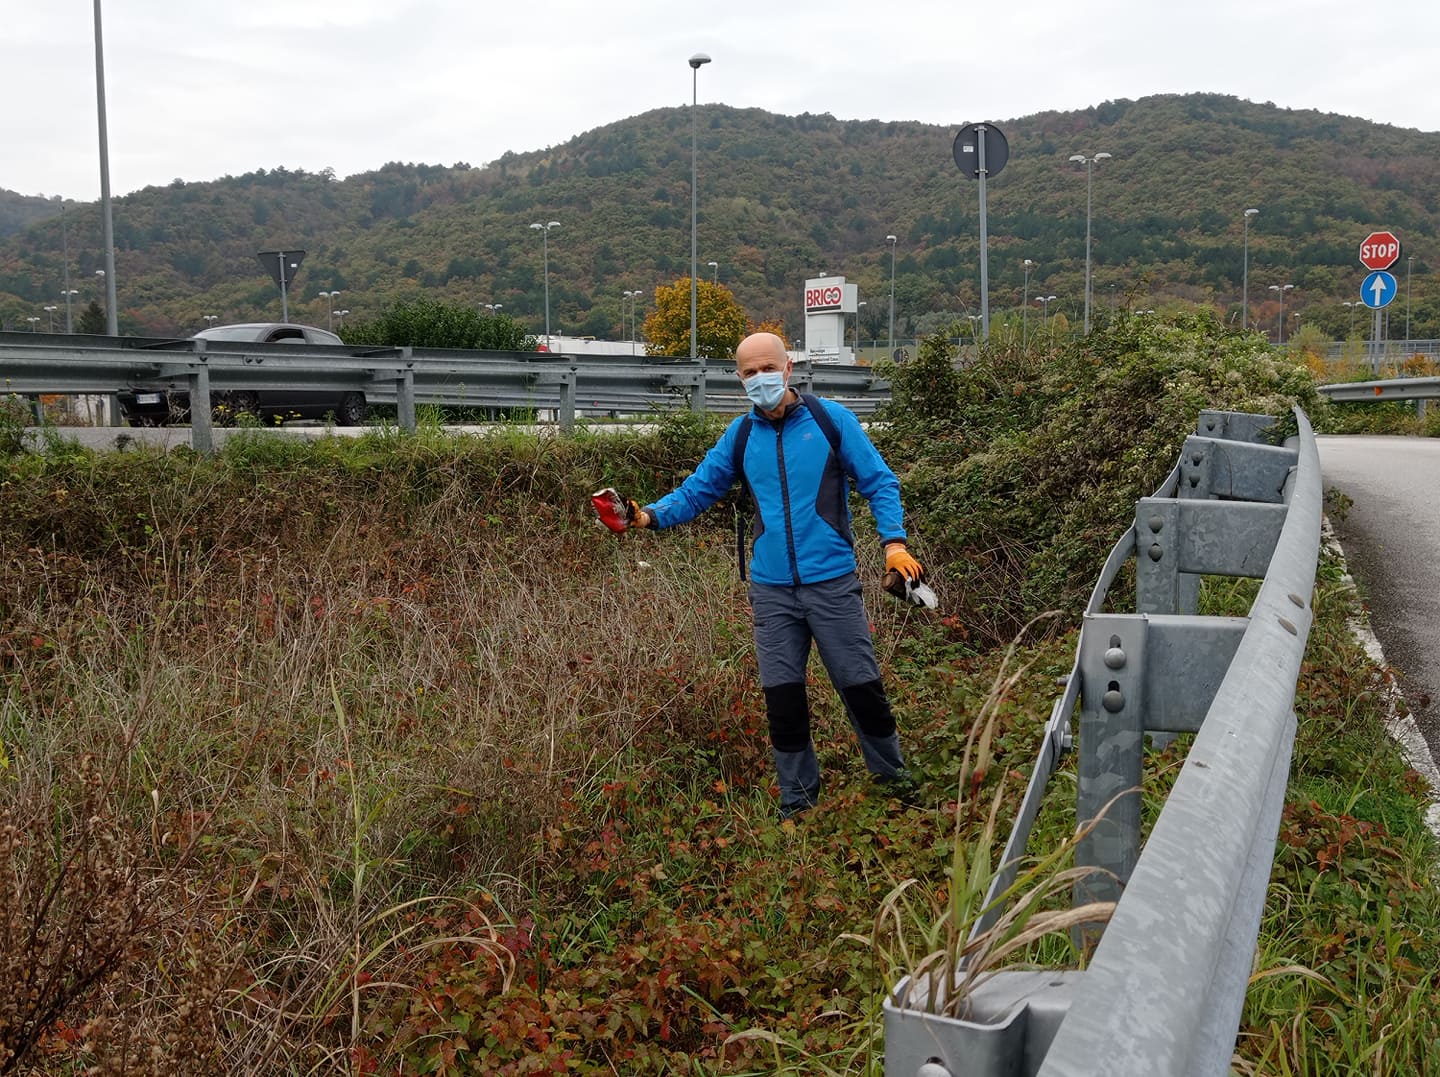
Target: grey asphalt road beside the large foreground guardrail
x=1392, y=541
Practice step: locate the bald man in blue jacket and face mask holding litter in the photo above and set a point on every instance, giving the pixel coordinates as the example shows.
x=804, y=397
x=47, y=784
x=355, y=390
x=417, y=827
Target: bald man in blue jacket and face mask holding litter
x=796, y=456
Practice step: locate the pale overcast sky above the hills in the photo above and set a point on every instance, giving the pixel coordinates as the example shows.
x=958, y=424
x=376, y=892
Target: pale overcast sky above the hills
x=204, y=89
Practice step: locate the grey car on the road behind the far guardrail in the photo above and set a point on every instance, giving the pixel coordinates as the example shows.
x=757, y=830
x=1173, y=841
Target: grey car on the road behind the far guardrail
x=159, y=408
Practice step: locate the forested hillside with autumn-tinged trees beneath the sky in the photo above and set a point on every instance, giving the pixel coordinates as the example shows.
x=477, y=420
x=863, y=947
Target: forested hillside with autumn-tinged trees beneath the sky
x=781, y=199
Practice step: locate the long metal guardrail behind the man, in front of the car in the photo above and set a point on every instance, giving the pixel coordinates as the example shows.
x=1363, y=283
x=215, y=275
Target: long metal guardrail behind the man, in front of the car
x=568, y=387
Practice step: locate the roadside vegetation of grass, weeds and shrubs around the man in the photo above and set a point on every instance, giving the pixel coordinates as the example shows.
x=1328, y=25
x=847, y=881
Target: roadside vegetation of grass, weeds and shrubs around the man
x=378, y=755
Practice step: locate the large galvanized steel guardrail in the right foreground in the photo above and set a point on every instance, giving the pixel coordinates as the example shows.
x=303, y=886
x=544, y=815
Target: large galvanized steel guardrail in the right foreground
x=1166, y=988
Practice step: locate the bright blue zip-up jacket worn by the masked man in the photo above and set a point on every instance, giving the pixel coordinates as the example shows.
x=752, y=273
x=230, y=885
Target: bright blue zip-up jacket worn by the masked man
x=803, y=515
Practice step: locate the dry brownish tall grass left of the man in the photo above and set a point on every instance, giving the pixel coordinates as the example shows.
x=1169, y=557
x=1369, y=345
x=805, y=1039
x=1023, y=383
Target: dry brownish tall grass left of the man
x=312, y=729
